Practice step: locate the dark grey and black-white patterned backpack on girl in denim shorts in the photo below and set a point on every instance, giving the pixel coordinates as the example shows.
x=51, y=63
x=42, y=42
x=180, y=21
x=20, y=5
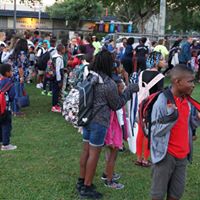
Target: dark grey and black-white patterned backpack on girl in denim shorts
x=77, y=107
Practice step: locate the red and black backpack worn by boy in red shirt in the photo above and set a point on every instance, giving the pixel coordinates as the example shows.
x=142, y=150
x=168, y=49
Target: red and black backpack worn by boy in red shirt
x=145, y=110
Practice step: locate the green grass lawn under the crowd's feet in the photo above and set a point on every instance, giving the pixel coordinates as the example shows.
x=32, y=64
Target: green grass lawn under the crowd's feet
x=46, y=164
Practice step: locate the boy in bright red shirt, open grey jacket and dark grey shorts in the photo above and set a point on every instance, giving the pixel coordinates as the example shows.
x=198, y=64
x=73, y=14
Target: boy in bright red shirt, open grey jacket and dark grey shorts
x=171, y=143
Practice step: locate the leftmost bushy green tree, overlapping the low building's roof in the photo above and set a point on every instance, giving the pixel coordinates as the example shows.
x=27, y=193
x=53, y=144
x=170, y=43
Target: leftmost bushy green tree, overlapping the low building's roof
x=74, y=11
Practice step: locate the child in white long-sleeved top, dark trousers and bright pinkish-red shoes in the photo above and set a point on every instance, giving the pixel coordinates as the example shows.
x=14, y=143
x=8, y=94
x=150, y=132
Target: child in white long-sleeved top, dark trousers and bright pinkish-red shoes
x=57, y=82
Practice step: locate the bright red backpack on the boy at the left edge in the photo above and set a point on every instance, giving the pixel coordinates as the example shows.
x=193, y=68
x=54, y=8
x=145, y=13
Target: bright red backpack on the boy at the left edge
x=3, y=98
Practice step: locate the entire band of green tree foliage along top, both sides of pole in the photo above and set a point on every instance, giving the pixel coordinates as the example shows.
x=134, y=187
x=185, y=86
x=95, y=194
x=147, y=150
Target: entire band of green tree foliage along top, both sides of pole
x=137, y=11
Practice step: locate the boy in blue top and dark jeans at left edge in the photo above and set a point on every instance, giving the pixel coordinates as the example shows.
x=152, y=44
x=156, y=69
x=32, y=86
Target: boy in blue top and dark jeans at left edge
x=6, y=122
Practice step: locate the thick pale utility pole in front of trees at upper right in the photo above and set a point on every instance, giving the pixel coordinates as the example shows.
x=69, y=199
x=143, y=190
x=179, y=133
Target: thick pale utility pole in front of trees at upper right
x=162, y=18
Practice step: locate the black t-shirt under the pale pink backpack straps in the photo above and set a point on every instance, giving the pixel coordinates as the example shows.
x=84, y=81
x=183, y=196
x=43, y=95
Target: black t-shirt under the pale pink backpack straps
x=148, y=75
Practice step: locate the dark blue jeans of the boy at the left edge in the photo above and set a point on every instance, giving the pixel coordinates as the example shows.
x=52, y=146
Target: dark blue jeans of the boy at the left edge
x=5, y=129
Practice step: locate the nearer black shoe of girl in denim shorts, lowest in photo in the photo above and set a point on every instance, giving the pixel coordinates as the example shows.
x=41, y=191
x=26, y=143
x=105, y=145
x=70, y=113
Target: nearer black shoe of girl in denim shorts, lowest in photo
x=87, y=192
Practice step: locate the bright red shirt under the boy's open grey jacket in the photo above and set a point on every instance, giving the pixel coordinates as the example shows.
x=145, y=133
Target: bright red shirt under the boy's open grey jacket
x=179, y=138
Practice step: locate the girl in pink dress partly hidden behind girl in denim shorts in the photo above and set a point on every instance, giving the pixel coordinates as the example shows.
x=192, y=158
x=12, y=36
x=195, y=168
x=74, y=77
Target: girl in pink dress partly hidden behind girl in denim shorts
x=114, y=141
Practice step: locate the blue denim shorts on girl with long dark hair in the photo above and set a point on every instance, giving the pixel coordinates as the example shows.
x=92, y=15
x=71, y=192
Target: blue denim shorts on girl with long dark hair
x=94, y=133
